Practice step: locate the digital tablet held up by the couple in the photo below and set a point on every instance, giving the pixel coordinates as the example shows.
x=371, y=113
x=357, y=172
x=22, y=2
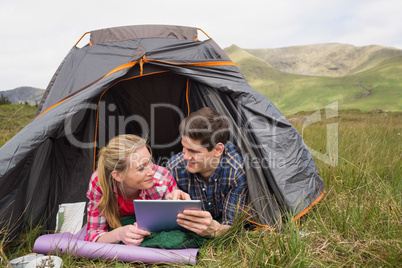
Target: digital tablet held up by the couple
x=161, y=215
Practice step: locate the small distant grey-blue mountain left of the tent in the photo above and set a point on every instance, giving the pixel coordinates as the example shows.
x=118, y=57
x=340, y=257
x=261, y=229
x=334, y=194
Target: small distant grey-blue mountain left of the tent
x=24, y=94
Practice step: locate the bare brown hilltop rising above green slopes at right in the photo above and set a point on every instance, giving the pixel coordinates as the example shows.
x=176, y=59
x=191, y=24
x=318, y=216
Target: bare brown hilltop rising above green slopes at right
x=332, y=60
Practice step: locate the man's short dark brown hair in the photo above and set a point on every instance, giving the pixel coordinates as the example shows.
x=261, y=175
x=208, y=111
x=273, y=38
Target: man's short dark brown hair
x=207, y=126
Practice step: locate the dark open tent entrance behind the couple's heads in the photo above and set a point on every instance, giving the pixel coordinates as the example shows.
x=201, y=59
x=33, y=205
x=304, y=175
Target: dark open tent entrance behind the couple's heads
x=151, y=106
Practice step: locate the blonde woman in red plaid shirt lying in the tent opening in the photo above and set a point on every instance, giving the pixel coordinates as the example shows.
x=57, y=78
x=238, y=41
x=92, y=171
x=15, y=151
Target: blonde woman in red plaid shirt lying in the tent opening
x=125, y=172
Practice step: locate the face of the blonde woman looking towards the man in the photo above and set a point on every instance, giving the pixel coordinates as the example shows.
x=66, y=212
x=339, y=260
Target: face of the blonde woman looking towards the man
x=140, y=172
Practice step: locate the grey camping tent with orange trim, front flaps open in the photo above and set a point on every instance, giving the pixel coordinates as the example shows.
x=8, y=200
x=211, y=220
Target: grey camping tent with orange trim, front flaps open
x=144, y=80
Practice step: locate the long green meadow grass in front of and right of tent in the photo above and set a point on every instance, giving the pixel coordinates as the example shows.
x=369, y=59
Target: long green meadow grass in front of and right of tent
x=357, y=224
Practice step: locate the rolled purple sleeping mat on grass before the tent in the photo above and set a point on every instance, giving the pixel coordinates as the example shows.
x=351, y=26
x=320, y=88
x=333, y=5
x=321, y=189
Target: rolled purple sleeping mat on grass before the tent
x=75, y=245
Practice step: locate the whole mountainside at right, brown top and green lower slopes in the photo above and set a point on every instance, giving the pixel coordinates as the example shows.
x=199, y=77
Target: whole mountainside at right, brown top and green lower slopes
x=306, y=78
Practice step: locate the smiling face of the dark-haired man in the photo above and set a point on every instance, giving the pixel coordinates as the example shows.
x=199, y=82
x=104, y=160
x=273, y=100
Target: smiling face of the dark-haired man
x=198, y=158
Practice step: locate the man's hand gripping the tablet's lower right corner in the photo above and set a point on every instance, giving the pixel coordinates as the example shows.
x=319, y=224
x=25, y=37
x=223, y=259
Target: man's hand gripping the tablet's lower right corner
x=201, y=223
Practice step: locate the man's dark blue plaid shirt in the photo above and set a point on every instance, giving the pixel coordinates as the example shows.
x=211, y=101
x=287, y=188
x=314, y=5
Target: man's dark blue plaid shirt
x=226, y=194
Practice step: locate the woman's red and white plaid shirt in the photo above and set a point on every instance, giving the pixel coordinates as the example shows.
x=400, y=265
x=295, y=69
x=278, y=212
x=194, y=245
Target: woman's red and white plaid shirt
x=97, y=225
